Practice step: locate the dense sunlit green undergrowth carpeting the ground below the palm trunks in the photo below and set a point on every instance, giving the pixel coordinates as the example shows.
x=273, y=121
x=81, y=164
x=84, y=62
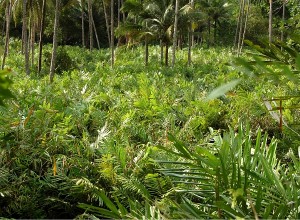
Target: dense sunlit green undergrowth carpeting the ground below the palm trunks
x=105, y=142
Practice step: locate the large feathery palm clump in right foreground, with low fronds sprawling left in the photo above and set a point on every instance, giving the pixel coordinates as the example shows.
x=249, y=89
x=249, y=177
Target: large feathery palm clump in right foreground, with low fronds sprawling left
x=236, y=176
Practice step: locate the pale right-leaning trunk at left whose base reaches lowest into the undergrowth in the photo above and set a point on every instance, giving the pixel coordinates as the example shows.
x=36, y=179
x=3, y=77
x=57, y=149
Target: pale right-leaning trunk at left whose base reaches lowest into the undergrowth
x=55, y=35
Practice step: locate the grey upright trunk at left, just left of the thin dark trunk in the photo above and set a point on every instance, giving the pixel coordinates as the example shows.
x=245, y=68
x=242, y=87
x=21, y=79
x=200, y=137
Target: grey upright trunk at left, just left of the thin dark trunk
x=25, y=37
